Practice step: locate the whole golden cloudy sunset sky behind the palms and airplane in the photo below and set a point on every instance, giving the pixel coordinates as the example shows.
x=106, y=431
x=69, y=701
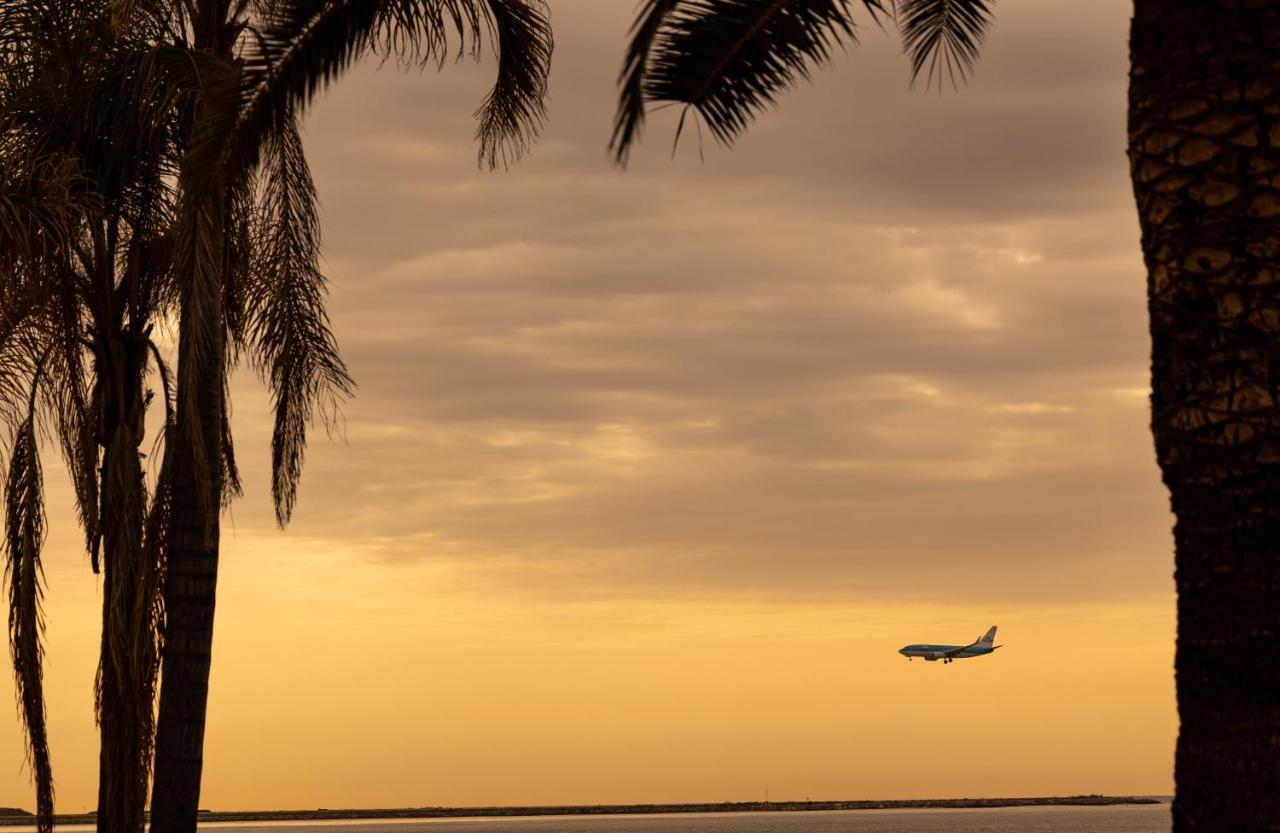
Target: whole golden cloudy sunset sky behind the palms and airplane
x=650, y=474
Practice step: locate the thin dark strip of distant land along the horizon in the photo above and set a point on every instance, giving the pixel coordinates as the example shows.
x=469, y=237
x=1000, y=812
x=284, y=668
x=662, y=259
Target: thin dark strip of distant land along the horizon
x=621, y=809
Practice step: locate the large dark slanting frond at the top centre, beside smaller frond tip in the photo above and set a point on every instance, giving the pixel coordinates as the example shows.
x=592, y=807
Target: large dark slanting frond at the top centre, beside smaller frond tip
x=726, y=59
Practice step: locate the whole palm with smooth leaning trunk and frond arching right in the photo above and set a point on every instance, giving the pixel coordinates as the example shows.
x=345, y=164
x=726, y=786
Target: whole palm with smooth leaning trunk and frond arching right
x=267, y=62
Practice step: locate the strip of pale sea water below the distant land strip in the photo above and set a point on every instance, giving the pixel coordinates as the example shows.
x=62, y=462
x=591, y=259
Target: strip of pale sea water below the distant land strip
x=1112, y=820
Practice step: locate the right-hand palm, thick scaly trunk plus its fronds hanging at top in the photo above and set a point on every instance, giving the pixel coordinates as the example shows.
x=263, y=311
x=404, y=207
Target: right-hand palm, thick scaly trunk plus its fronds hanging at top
x=1205, y=154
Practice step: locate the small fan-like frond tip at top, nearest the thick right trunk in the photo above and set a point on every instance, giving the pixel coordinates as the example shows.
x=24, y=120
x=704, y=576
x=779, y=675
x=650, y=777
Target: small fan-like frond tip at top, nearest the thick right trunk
x=944, y=38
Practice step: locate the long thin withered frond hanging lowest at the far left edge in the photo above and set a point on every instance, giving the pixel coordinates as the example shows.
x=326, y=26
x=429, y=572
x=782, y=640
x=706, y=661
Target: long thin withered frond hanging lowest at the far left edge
x=25, y=538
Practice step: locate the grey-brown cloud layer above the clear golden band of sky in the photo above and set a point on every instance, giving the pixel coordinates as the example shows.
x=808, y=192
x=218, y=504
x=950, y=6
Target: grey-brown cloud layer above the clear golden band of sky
x=894, y=344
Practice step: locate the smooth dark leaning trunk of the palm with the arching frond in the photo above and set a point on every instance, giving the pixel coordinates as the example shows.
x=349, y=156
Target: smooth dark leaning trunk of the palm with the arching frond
x=191, y=574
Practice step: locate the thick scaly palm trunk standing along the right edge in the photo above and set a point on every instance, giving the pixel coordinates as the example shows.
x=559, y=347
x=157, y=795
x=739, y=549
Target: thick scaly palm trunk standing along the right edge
x=1205, y=154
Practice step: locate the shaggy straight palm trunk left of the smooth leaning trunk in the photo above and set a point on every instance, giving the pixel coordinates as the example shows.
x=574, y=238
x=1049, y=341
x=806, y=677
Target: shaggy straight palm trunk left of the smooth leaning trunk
x=126, y=683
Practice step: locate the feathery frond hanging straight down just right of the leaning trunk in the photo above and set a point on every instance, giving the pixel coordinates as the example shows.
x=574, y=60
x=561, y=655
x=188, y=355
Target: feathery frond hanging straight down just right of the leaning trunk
x=289, y=328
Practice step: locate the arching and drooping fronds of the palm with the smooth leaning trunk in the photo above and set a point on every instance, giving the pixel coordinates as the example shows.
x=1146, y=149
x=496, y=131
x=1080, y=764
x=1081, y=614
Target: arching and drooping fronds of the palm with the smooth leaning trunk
x=291, y=51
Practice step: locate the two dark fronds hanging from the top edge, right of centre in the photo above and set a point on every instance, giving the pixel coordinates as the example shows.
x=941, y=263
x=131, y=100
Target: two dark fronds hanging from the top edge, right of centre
x=730, y=59
